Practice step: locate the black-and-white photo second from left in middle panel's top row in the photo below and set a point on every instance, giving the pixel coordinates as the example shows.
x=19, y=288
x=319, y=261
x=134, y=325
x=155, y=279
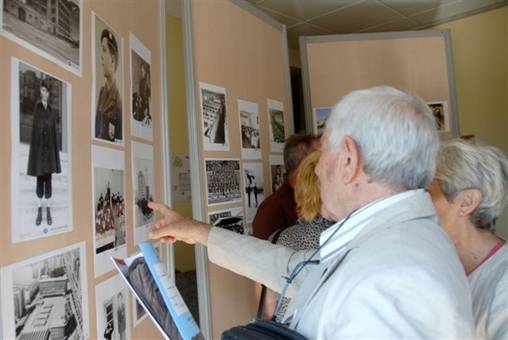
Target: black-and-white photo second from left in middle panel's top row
x=249, y=129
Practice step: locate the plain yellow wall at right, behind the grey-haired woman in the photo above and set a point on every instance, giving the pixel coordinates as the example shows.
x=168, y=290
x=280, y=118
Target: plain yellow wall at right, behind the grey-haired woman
x=480, y=51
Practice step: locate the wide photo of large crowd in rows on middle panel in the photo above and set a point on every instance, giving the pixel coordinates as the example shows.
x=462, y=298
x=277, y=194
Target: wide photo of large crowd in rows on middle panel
x=223, y=180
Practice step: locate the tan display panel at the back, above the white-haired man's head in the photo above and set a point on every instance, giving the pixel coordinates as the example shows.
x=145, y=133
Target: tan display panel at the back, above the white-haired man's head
x=416, y=62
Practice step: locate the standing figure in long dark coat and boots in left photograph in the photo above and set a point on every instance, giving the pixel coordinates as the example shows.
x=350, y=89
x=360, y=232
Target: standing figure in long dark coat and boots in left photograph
x=44, y=154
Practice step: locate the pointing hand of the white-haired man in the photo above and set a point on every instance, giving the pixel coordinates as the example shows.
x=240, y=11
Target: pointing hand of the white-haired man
x=173, y=227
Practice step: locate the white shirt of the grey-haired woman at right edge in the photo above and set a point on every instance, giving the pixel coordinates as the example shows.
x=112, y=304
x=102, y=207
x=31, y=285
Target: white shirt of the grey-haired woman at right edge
x=489, y=287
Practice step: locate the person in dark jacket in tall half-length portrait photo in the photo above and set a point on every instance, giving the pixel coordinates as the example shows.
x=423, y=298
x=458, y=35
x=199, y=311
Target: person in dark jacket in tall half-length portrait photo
x=108, y=115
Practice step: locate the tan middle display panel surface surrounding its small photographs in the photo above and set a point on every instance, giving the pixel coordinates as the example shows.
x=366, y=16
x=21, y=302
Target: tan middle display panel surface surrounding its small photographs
x=240, y=50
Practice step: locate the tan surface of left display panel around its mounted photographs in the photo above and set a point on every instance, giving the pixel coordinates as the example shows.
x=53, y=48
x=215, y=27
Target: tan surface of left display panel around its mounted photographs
x=142, y=19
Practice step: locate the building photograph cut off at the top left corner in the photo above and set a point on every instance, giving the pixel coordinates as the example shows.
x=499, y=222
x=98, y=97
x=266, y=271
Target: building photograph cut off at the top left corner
x=50, y=28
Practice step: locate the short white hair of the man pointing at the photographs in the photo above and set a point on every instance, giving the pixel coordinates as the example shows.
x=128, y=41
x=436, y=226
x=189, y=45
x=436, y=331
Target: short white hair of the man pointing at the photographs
x=395, y=131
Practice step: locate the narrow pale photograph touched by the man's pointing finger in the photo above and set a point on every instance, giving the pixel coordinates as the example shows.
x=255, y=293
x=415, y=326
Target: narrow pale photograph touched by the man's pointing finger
x=143, y=187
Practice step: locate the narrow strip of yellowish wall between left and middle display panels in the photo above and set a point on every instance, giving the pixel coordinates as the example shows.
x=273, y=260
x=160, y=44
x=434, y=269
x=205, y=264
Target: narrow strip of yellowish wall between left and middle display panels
x=178, y=136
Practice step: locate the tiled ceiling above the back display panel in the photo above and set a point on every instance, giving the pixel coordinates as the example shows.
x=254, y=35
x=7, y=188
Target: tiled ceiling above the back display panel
x=318, y=17
